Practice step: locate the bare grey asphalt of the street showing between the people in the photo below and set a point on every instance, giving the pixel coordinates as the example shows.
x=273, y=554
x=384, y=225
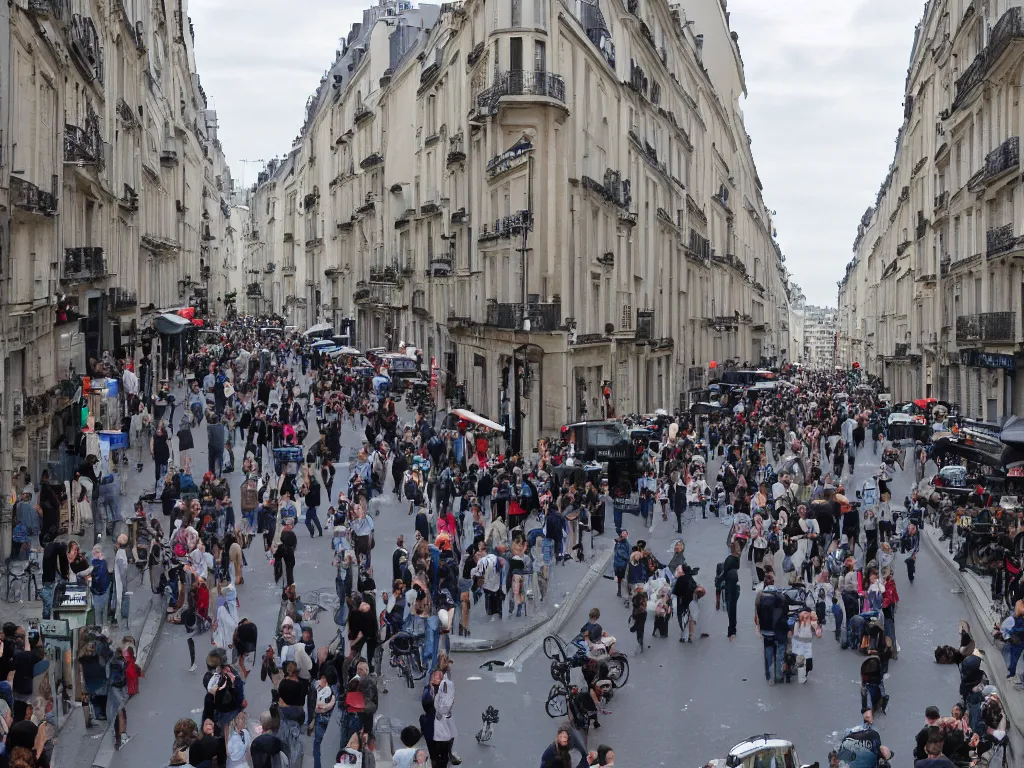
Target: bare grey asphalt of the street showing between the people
x=702, y=699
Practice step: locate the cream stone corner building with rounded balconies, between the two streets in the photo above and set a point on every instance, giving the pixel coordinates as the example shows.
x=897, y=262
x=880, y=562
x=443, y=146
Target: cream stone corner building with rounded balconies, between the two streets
x=567, y=179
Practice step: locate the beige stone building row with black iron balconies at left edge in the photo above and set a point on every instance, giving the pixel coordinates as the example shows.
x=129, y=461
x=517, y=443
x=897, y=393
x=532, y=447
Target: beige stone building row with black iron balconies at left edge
x=114, y=193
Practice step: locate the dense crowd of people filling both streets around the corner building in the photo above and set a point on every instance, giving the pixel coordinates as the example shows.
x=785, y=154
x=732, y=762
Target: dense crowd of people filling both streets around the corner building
x=485, y=531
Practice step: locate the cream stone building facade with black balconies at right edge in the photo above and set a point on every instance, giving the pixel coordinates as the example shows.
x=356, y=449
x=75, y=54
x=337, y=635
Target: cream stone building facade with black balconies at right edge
x=932, y=301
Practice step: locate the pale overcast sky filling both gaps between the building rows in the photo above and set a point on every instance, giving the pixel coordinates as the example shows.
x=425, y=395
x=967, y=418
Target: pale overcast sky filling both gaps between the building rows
x=826, y=102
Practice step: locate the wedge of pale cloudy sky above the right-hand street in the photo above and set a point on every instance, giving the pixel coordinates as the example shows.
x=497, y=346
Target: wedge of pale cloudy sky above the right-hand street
x=826, y=100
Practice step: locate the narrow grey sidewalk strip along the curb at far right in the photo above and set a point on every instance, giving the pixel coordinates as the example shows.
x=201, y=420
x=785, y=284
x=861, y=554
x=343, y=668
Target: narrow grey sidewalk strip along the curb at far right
x=977, y=594
